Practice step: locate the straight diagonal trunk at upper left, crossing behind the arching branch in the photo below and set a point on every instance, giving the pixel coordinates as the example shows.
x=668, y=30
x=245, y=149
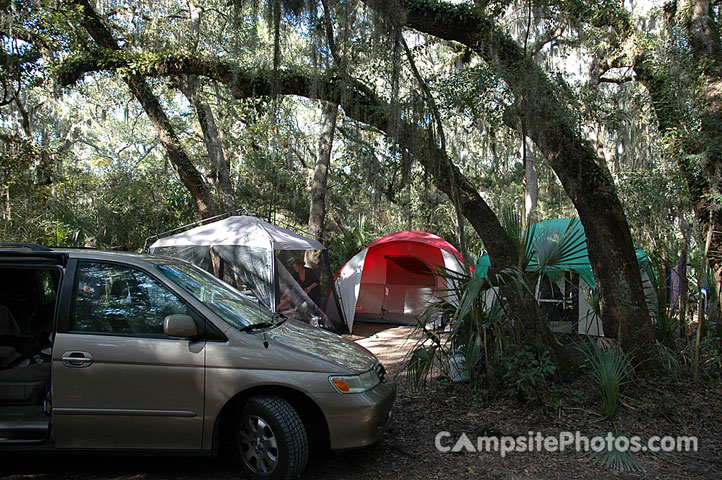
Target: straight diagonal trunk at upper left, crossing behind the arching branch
x=189, y=175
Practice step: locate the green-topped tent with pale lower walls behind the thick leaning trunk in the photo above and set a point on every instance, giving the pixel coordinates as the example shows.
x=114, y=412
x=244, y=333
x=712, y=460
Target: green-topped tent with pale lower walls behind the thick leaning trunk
x=565, y=290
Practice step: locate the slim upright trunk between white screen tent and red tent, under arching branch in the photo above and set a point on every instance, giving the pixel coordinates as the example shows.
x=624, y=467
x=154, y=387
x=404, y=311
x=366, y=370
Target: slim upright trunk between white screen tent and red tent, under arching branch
x=317, y=214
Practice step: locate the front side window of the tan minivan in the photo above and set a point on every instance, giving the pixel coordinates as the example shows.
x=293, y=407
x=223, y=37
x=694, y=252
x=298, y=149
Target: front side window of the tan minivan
x=116, y=299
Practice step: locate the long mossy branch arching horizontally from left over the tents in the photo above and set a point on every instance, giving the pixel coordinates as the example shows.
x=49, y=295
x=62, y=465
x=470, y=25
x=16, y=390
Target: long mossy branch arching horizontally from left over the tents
x=358, y=101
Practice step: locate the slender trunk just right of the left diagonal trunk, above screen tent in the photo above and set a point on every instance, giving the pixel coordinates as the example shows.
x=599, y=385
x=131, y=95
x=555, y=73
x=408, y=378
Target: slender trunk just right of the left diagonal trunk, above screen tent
x=219, y=174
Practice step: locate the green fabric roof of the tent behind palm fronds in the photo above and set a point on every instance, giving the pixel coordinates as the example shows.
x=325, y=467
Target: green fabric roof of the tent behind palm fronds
x=567, y=234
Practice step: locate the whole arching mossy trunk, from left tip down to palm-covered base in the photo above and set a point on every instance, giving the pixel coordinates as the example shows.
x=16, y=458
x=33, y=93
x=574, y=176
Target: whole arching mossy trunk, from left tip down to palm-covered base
x=360, y=104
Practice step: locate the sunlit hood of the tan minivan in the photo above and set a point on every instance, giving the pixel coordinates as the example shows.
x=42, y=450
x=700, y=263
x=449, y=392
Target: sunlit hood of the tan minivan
x=322, y=344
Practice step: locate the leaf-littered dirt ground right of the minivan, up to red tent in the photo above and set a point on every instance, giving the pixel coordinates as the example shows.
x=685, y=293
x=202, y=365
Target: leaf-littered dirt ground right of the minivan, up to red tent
x=659, y=407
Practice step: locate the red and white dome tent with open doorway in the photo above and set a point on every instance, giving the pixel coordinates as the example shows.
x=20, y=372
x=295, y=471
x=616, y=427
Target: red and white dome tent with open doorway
x=393, y=278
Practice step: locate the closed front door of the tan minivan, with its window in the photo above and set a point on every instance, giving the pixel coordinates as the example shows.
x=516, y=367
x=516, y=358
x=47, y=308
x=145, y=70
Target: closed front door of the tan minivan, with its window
x=118, y=380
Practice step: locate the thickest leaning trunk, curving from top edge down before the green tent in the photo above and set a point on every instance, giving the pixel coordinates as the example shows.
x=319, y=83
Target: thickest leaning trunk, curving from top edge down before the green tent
x=552, y=126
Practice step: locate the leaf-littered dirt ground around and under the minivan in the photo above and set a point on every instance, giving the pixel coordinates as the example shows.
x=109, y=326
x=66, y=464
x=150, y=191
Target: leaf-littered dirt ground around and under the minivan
x=407, y=450
